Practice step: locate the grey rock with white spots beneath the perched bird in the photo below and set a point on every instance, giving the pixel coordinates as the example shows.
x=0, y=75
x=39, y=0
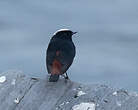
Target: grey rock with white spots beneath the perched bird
x=20, y=92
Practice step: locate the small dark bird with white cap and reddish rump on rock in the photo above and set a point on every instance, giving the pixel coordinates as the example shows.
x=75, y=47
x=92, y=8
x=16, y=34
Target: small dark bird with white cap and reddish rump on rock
x=60, y=54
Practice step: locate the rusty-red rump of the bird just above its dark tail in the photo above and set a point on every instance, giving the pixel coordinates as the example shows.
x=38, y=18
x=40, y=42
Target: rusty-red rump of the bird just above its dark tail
x=56, y=67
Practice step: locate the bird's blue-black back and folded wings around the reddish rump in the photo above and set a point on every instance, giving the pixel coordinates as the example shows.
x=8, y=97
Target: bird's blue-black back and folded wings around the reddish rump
x=66, y=50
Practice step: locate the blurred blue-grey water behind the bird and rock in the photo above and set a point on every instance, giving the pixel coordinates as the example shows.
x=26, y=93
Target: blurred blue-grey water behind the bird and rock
x=107, y=39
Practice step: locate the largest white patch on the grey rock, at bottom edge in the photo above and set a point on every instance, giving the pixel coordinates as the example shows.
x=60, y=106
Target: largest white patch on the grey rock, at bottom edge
x=84, y=106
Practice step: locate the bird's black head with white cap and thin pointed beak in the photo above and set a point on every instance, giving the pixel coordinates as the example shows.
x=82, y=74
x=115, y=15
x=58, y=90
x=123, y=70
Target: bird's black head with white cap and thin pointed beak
x=64, y=34
